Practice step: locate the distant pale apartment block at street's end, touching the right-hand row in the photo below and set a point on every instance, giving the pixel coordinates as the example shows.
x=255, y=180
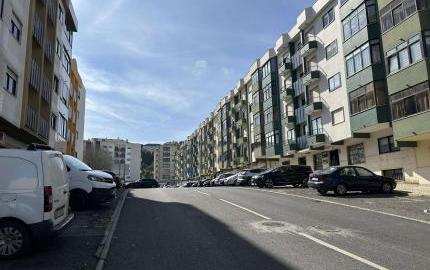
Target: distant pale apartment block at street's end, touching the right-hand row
x=164, y=162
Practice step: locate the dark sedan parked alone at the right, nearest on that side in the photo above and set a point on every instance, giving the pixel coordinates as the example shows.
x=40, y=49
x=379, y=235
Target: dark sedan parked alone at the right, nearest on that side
x=350, y=178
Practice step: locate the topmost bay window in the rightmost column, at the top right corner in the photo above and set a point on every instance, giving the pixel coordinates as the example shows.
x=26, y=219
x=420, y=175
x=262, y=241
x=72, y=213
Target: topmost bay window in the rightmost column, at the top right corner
x=397, y=11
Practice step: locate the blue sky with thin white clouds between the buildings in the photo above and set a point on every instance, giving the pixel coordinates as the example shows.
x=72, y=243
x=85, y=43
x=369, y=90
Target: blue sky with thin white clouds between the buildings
x=155, y=69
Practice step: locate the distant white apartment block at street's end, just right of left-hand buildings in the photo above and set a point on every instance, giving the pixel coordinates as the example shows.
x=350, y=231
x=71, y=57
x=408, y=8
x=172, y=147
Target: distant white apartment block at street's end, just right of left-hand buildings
x=119, y=156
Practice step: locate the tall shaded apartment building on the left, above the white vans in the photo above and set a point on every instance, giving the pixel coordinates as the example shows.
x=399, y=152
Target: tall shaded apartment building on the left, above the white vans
x=33, y=66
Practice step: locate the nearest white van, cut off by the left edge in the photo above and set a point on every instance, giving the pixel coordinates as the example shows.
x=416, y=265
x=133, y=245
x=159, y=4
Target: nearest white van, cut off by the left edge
x=34, y=198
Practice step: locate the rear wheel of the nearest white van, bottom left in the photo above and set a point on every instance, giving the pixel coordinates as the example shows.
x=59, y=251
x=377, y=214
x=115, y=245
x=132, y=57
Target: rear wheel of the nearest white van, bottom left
x=14, y=239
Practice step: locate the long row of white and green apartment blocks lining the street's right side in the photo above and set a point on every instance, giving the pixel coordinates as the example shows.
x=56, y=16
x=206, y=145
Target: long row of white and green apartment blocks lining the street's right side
x=347, y=84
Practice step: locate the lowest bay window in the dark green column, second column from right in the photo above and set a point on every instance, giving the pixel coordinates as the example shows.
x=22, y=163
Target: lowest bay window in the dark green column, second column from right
x=367, y=97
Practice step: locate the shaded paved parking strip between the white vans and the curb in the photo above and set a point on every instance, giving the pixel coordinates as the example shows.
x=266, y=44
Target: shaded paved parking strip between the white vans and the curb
x=75, y=248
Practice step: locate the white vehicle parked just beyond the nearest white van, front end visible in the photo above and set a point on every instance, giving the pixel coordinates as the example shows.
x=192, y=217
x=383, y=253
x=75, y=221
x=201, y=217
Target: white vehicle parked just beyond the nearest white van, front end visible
x=87, y=185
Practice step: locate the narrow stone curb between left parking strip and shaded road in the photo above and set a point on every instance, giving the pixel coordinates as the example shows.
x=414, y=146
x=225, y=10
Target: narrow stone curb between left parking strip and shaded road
x=103, y=249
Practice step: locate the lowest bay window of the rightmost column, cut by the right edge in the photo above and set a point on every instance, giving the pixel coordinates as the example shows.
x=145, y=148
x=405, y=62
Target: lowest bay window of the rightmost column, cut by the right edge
x=411, y=101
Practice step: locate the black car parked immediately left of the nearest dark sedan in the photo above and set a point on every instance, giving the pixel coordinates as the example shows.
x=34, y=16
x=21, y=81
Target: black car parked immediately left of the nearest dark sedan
x=295, y=175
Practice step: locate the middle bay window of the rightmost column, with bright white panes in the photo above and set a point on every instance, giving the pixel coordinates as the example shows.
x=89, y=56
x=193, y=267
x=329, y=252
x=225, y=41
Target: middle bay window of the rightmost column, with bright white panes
x=404, y=54
